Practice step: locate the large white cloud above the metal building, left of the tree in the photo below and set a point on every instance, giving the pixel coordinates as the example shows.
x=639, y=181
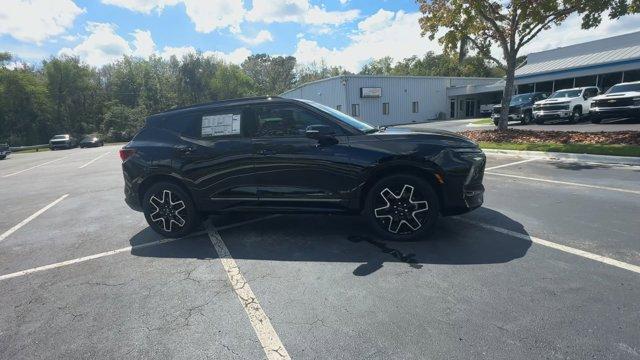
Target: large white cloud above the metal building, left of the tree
x=382, y=34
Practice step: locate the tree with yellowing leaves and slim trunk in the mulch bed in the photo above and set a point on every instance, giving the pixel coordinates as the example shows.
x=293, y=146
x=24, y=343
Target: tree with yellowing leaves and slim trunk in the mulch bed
x=510, y=25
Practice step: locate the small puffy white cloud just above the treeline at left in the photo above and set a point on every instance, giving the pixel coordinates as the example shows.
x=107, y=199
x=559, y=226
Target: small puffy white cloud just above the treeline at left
x=101, y=47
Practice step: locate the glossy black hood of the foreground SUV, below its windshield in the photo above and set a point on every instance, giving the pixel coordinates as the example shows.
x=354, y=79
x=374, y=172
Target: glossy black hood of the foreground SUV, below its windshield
x=431, y=136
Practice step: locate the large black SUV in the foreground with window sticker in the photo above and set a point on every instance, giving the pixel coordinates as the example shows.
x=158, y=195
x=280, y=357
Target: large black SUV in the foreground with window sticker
x=281, y=155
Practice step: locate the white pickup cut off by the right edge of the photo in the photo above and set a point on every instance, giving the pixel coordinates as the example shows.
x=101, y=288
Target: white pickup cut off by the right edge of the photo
x=620, y=101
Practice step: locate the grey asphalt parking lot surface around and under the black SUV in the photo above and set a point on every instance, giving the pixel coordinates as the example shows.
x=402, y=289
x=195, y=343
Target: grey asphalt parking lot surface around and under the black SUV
x=549, y=268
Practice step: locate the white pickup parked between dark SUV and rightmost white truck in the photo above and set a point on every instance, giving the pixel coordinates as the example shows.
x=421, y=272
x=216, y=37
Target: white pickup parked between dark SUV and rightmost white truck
x=567, y=104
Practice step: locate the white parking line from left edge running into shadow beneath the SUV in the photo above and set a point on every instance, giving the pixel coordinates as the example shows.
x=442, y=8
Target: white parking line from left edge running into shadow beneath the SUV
x=118, y=251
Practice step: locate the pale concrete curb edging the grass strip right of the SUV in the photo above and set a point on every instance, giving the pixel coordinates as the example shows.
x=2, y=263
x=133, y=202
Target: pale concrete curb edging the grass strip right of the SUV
x=587, y=158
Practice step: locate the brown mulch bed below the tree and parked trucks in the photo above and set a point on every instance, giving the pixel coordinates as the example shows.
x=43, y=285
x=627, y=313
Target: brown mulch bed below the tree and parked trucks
x=558, y=137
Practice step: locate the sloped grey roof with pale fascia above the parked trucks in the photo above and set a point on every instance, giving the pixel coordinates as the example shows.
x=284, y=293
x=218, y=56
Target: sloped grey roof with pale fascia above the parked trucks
x=617, y=49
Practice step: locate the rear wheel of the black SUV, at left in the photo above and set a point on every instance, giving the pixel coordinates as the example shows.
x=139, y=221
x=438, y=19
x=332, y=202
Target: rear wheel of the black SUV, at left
x=169, y=210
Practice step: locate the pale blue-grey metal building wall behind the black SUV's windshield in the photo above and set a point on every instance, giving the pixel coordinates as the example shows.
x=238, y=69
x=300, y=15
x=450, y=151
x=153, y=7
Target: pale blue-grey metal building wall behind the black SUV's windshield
x=388, y=100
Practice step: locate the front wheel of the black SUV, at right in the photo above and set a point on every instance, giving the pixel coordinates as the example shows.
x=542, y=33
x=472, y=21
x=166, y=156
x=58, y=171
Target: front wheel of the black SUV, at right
x=402, y=208
